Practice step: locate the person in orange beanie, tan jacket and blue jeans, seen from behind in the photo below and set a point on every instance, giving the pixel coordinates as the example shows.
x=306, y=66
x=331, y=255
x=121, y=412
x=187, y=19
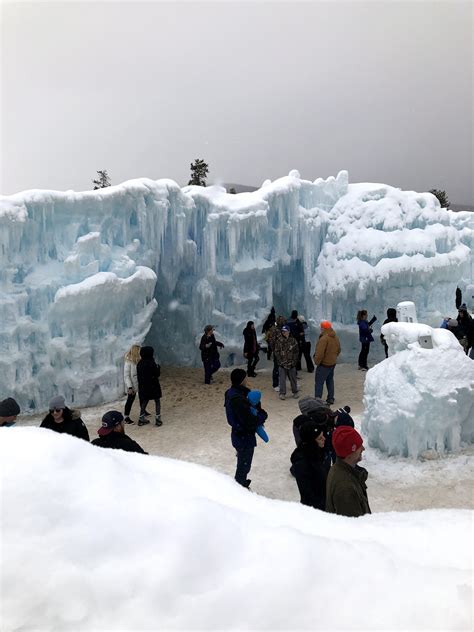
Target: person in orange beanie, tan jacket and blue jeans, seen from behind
x=327, y=350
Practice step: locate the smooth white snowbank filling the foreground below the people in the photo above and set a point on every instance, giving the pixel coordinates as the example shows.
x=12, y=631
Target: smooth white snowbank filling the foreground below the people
x=114, y=540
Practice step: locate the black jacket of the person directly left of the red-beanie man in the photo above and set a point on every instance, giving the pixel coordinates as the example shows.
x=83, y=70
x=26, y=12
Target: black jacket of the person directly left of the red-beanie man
x=308, y=467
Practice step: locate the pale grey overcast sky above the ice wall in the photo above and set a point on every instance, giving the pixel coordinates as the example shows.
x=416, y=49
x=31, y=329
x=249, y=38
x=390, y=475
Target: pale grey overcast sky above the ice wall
x=382, y=89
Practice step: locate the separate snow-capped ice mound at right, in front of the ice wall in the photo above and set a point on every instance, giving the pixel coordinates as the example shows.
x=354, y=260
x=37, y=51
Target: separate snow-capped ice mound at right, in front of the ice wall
x=419, y=399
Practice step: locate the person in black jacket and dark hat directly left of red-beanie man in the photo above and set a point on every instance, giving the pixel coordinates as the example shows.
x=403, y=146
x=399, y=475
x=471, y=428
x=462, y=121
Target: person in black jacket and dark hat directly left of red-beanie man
x=309, y=466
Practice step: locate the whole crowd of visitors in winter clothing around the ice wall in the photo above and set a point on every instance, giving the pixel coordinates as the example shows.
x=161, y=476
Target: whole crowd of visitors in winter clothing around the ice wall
x=325, y=461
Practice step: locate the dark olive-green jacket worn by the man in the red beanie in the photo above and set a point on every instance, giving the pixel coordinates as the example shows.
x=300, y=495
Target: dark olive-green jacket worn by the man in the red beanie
x=346, y=491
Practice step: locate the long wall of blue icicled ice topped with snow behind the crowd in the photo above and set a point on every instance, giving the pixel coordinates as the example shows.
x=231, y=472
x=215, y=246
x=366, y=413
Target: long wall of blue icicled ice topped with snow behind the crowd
x=85, y=275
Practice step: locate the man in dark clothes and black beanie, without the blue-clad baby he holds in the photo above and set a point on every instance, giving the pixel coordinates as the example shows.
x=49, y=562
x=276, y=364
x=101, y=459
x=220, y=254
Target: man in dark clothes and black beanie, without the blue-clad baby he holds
x=243, y=424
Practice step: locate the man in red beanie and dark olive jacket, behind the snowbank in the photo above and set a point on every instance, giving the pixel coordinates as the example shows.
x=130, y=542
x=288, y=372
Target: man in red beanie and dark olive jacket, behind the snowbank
x=346, y=491
